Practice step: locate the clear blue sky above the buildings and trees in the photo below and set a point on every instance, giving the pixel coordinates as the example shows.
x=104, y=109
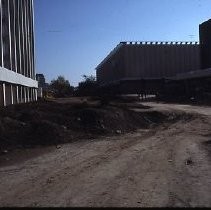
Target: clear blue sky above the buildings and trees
x=74, y=36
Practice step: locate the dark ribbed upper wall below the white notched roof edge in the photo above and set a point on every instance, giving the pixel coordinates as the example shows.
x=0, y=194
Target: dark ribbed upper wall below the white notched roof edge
x=149, y=60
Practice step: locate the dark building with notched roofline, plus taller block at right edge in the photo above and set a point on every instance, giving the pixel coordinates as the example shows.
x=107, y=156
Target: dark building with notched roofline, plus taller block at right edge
x=134, y=67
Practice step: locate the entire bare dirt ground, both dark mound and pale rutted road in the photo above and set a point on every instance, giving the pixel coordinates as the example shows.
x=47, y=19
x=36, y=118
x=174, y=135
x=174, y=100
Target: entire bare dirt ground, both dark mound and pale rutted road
x=78, y=153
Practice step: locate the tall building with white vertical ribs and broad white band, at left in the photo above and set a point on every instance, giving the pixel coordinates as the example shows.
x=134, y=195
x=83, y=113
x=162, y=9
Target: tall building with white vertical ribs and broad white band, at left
x=17, y=68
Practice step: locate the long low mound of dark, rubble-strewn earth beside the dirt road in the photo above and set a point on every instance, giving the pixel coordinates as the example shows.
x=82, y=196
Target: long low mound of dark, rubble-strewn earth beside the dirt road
x=47, y=123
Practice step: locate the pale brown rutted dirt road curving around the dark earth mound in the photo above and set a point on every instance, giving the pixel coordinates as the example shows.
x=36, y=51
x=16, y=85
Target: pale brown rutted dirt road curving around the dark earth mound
x=169, y=166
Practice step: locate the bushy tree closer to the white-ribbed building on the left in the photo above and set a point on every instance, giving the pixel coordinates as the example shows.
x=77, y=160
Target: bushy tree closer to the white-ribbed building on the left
x=61, y=87
